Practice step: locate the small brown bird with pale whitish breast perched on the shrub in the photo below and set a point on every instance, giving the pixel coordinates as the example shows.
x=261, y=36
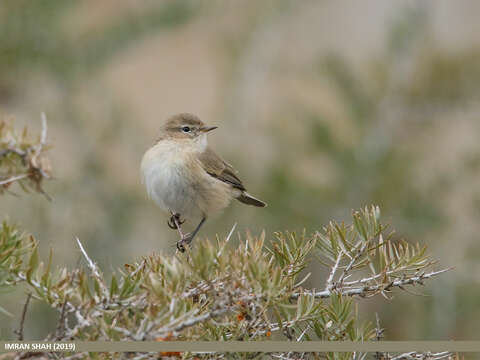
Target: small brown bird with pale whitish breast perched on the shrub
x=186, y=178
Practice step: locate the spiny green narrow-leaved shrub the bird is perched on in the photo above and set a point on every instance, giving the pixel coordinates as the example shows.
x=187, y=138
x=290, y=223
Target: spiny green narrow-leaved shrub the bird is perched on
x=248, y=292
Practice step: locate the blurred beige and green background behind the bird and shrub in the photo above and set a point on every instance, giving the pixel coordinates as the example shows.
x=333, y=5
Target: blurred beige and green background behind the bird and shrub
x=322, y=106
